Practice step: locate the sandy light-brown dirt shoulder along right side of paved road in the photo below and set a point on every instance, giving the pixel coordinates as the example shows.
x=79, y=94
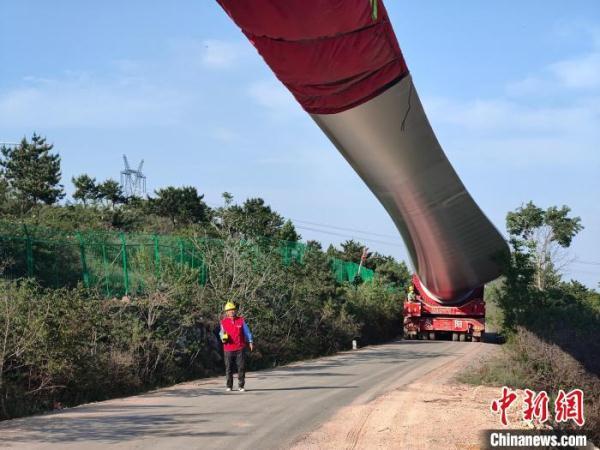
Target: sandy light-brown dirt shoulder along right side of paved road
x=434, y=412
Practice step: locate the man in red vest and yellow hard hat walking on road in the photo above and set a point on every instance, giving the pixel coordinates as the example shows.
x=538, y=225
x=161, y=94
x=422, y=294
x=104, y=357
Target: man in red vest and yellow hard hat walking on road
x=234, y=335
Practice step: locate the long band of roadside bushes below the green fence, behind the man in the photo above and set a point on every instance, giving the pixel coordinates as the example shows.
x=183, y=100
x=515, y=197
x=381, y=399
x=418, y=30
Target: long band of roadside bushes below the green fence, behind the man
x=62, y=347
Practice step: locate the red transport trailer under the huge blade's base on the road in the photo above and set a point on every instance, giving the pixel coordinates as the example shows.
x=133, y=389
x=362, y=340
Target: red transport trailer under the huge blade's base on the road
x=425, y=317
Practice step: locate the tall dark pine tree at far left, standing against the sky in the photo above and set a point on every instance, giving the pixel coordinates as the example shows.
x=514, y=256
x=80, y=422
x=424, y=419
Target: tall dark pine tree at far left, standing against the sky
x=32, y=172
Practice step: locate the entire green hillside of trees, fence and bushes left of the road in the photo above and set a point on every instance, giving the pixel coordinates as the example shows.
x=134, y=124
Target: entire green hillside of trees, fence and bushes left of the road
x=66, y=338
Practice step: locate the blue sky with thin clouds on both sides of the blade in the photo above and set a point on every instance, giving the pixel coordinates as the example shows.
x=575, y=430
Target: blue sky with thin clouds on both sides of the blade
x=511, y=88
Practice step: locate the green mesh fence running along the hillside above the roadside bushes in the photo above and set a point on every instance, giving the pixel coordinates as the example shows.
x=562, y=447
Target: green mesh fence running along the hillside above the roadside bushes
x=122, y=264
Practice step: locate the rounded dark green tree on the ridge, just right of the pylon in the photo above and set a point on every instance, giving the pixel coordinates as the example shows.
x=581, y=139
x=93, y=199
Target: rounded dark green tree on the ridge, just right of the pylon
x=182, y=205
